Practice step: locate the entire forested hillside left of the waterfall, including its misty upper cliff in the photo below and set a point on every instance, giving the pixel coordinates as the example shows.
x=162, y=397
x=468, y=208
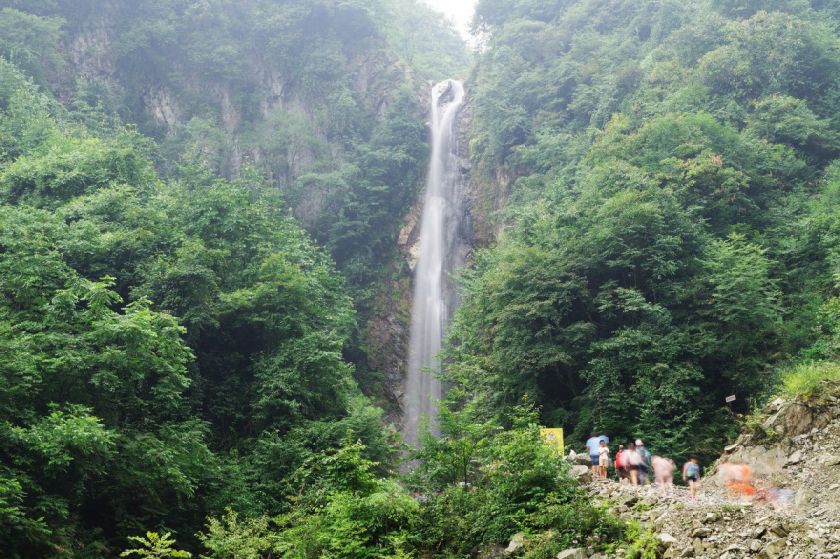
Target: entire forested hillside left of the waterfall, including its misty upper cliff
x=172, y=339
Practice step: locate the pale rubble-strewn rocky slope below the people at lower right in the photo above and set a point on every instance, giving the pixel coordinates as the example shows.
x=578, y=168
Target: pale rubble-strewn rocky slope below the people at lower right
x=793, y=450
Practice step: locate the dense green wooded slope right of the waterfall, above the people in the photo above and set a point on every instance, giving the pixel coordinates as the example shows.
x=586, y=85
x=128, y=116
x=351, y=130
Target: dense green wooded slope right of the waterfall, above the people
x=670, y=238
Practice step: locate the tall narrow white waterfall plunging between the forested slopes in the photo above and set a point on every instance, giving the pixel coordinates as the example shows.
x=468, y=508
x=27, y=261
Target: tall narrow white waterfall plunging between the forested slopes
x=439, y=226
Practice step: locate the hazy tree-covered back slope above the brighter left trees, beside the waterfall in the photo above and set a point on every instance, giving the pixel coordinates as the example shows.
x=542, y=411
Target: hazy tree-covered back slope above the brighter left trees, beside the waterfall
x=322, y=97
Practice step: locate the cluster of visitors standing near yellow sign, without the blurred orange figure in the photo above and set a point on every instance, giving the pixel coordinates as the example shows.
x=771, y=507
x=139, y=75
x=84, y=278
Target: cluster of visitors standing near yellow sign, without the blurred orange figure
x=634, y=464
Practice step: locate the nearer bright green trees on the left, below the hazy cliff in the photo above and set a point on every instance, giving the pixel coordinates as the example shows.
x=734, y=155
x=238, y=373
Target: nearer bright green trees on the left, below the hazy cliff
x=169, y=348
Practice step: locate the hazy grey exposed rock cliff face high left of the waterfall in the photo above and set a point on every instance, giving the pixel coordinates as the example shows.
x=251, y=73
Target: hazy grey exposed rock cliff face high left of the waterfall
x=268, y=115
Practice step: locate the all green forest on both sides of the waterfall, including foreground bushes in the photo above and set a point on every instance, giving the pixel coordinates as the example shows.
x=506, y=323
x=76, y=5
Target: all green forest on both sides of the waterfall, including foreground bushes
x=200, y=203
